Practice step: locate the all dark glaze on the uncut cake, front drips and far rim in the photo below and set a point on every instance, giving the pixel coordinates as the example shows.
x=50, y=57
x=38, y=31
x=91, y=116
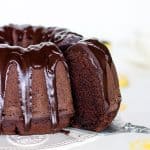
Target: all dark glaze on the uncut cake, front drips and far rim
x=26, y=55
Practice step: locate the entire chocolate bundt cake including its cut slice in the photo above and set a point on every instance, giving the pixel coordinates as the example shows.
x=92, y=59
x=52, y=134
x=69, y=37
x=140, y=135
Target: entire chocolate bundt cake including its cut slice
x=41, y=69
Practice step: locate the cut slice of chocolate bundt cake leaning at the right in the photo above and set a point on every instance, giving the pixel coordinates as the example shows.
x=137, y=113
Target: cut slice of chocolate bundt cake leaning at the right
x=94, y=85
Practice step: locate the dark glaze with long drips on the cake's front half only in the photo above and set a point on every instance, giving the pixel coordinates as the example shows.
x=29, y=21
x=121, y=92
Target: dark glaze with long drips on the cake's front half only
x=44, y=55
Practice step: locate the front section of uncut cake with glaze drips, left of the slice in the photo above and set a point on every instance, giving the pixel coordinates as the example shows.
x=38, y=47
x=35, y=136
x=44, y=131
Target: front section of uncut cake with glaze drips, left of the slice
x=35, y=94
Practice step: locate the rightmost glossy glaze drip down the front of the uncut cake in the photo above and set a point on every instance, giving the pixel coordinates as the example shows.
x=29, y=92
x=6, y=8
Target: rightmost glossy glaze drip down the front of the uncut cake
x=50, y=77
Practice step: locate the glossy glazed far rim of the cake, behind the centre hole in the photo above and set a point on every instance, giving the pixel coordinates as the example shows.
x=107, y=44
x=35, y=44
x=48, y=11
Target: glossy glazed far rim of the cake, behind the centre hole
x=26, y=35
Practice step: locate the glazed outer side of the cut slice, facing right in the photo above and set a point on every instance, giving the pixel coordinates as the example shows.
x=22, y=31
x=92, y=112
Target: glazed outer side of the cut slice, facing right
x=111, y=84
